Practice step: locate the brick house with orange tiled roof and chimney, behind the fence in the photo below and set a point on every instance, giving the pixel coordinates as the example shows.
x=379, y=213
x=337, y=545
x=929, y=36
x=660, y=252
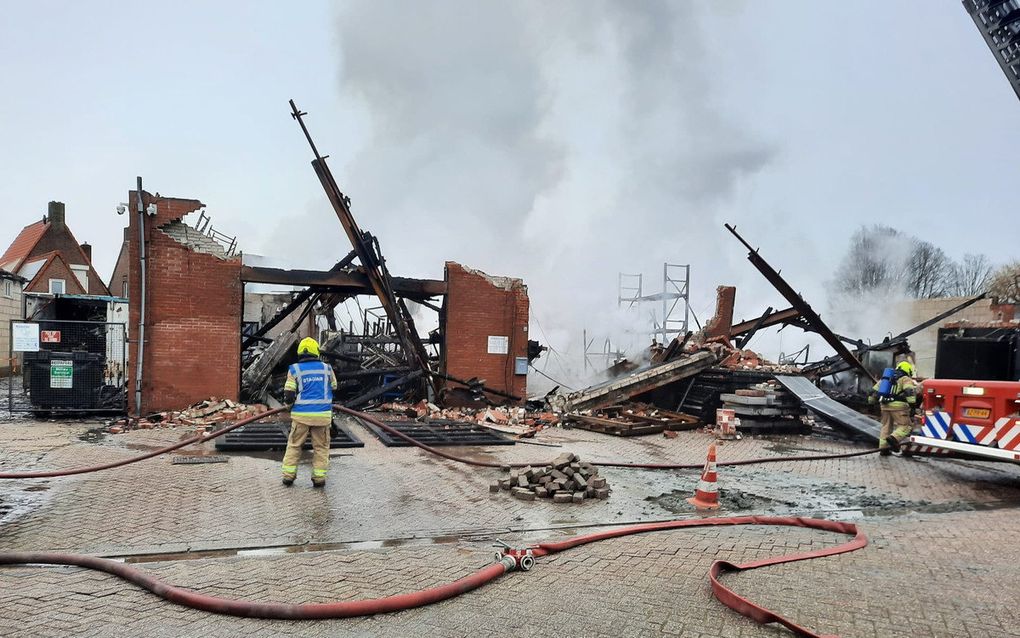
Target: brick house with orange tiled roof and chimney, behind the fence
x=47, y=255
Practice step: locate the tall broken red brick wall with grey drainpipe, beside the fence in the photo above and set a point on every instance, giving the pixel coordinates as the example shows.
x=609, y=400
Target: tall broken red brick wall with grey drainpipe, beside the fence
x=193, y=317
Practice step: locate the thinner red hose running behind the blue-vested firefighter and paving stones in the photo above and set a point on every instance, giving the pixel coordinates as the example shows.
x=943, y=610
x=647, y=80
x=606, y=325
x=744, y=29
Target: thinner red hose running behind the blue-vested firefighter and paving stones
x=383, y=426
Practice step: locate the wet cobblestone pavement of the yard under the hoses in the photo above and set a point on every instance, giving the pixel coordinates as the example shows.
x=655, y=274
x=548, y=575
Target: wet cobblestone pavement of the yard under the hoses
x=396, y=520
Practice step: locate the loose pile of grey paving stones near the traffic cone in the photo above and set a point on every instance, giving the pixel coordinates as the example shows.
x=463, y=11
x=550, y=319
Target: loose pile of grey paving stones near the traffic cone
x=566, y=480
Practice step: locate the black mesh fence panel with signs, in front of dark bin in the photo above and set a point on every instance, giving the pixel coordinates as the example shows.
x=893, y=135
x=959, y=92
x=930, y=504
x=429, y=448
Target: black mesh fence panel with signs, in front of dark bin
x=79, y=367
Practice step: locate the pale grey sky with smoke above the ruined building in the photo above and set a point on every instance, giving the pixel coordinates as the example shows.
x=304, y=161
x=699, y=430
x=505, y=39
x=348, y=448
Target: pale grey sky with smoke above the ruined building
x=557, y=142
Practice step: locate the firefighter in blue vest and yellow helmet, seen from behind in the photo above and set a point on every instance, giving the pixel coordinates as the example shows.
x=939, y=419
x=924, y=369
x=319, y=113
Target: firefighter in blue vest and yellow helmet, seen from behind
x=309, y=390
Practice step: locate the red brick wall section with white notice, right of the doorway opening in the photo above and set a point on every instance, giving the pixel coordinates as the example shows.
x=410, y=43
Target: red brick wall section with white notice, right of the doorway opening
x=479, y=307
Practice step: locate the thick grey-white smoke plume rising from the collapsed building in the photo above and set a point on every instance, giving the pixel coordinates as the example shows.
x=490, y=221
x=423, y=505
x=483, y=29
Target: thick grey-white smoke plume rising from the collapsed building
x=560, y=143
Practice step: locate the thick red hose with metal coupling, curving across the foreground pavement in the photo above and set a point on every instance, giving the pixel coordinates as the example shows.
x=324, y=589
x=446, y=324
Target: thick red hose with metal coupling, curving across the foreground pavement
x=488, y=574
